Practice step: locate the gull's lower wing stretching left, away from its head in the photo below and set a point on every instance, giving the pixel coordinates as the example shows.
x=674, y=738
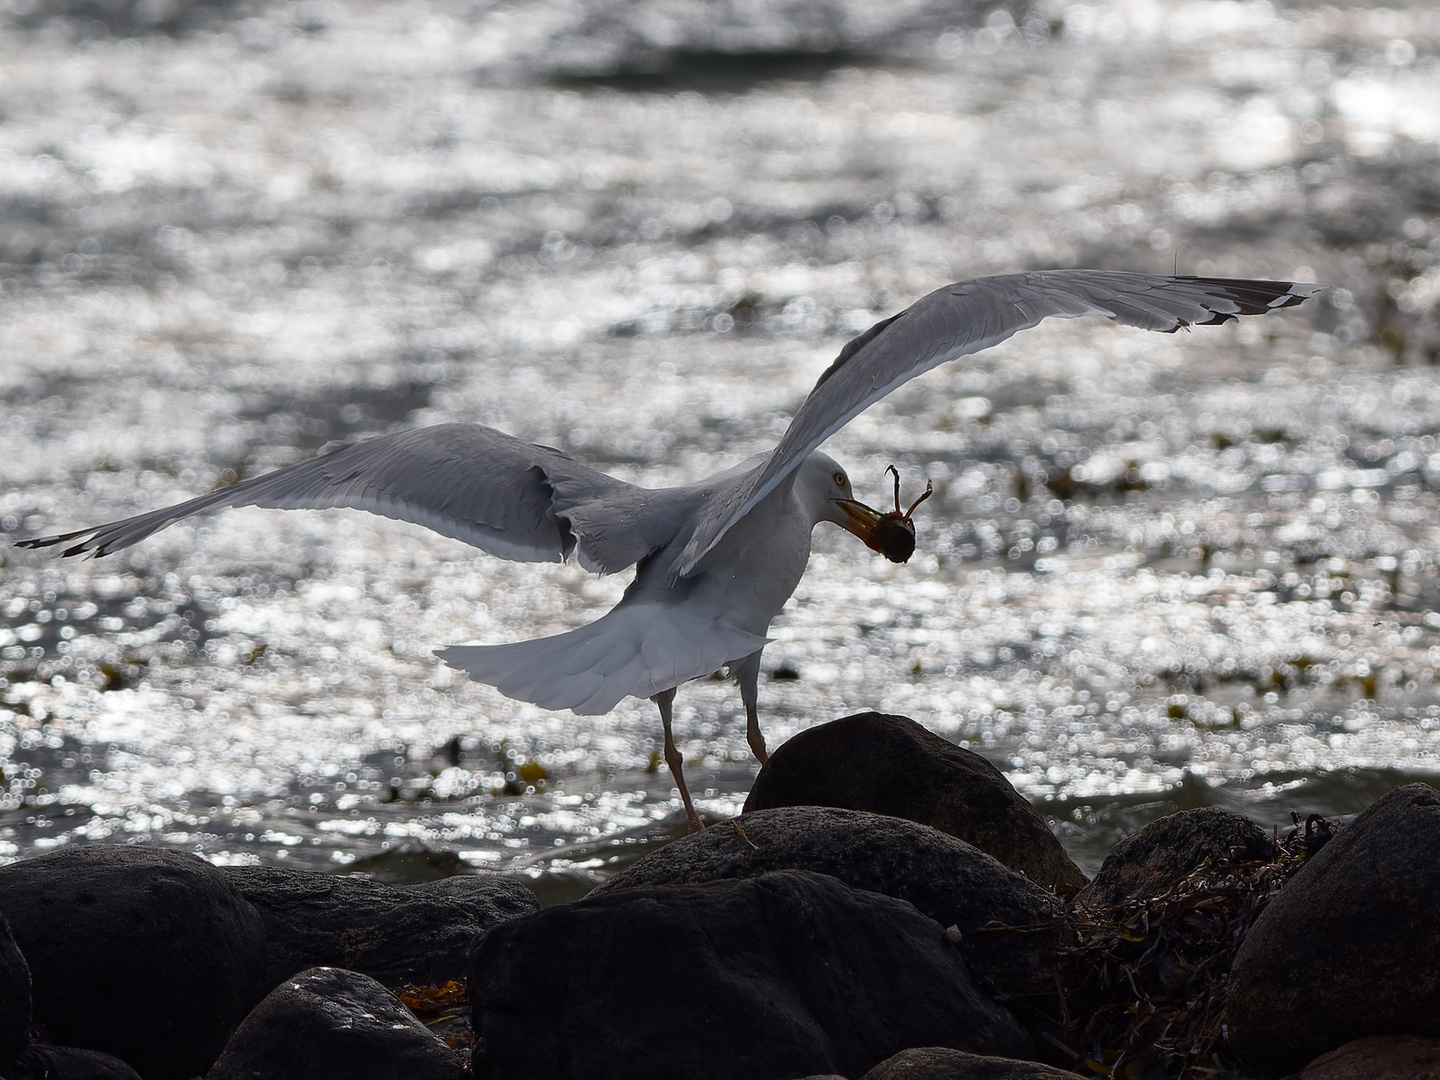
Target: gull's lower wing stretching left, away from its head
x=472, y=483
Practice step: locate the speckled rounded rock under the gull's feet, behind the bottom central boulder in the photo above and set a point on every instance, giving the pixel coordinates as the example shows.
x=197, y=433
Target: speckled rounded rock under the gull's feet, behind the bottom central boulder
x=944, y=878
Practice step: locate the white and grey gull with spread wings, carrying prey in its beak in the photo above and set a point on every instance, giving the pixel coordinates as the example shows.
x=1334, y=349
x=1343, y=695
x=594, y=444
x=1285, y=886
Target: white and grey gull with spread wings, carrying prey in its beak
x=715, y=561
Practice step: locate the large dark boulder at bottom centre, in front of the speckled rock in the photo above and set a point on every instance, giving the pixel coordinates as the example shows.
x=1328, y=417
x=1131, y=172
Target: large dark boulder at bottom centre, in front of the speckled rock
x=783, y=976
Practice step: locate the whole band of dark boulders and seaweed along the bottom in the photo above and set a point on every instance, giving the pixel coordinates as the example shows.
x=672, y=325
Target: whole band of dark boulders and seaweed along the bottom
x=886, y=906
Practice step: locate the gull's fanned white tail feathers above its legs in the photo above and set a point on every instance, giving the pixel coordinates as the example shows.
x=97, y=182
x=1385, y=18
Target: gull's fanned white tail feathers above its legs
x=637, y=650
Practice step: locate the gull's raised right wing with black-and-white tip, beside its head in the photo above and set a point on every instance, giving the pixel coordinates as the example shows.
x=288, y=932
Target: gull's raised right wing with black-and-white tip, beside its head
x=964, y=319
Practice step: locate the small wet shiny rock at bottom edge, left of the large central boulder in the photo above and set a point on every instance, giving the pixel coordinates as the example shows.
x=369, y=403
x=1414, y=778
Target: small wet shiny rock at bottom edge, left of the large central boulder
x=336, y=1025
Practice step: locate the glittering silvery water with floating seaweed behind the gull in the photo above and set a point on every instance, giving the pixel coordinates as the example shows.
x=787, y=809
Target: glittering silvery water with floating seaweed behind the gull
x=1160, y=571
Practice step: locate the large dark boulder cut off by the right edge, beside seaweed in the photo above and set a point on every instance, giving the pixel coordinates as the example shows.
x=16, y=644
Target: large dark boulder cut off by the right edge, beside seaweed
x=1351, y=945
